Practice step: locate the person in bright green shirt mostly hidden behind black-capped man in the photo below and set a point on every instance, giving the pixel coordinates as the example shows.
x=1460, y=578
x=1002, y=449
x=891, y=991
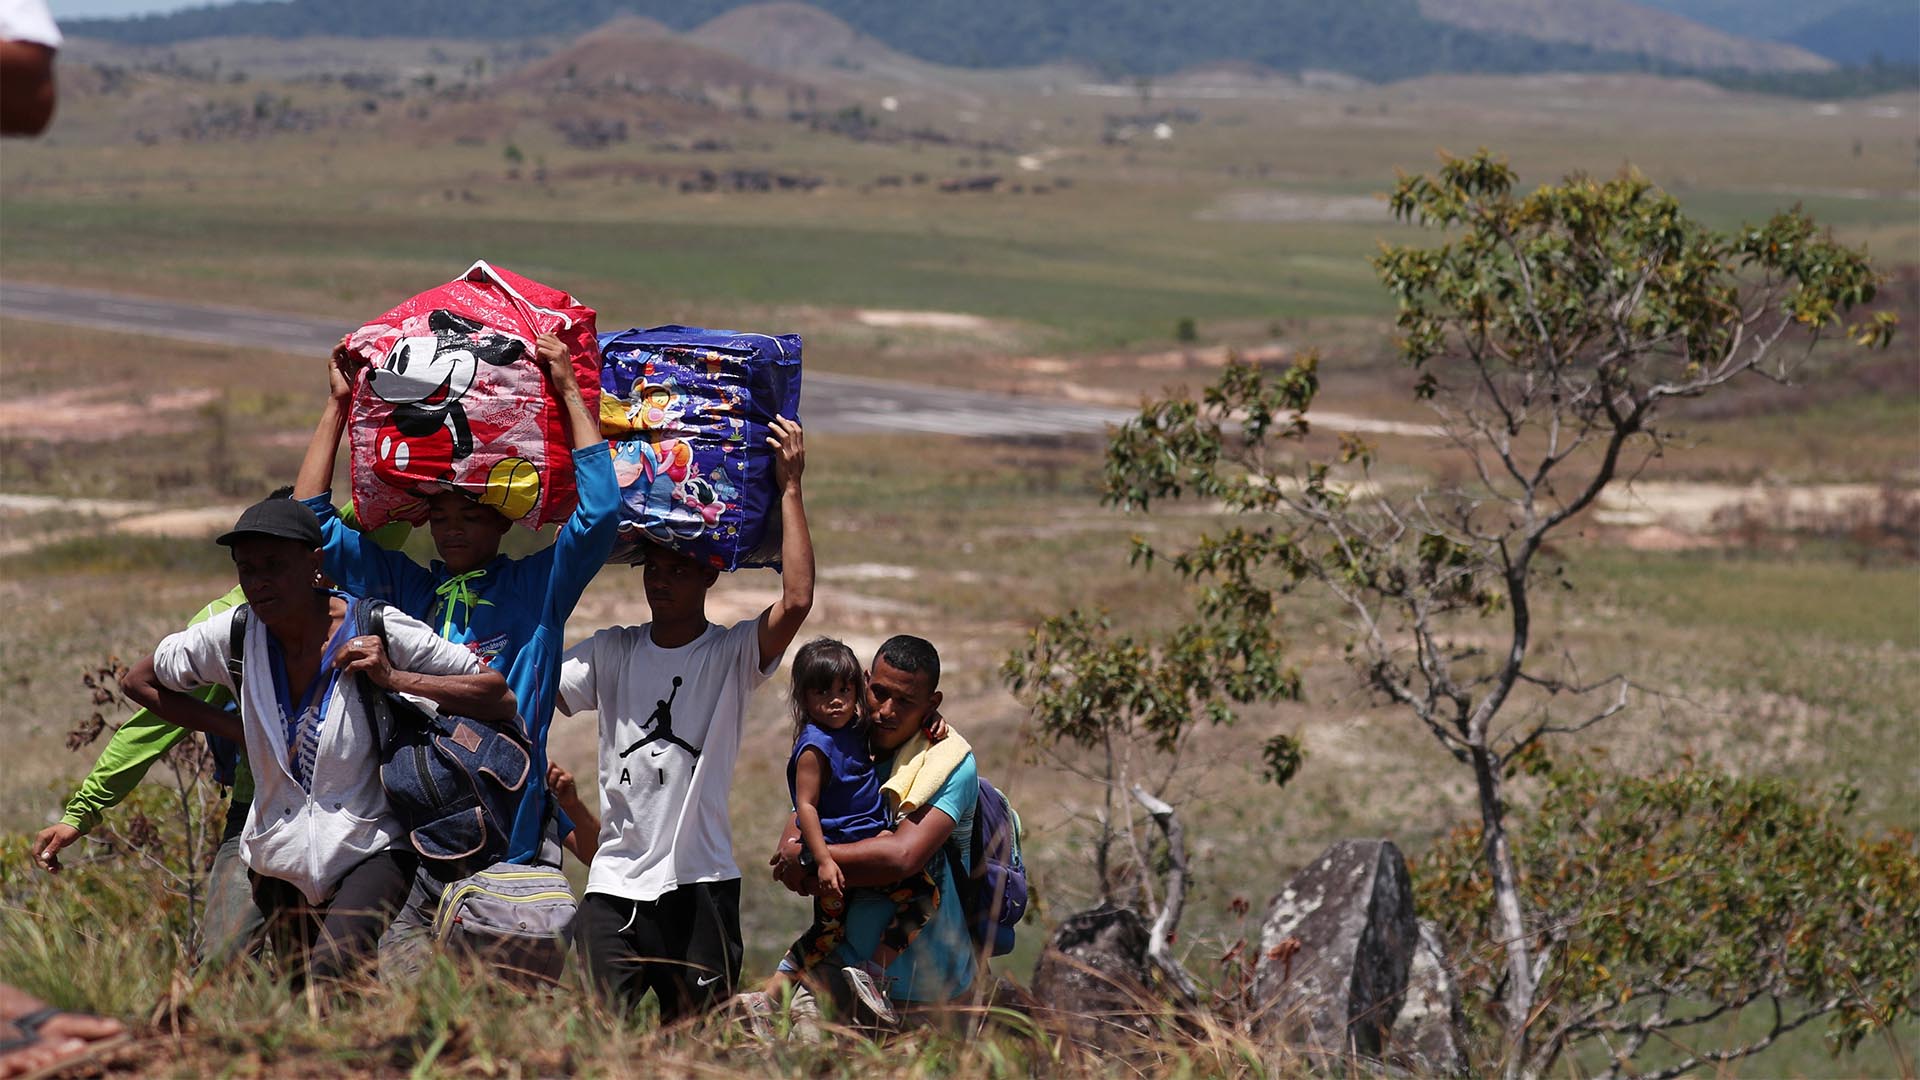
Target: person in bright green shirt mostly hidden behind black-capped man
x=231, y=920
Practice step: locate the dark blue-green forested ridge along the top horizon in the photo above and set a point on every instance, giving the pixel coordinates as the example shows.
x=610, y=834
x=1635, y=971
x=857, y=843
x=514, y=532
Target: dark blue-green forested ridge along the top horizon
x=1374, y=39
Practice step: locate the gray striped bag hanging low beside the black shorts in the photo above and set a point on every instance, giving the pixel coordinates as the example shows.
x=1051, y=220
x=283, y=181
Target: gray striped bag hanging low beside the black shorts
x=514, y=918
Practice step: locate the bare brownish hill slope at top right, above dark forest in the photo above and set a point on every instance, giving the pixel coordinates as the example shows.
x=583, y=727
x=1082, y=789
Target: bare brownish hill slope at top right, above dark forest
x=1620, y=26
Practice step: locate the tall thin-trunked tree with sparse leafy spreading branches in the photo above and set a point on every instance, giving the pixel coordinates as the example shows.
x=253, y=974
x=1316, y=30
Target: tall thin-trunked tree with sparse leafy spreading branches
x=1550, y=333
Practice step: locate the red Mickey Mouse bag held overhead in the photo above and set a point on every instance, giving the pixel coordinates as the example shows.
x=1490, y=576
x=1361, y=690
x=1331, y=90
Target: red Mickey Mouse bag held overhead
x=454, y=401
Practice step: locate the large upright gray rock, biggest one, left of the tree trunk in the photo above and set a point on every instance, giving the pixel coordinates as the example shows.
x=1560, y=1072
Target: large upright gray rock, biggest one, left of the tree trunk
x=1339, y=994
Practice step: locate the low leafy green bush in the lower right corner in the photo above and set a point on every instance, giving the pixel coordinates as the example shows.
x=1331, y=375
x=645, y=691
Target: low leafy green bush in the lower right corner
x=1681, y=900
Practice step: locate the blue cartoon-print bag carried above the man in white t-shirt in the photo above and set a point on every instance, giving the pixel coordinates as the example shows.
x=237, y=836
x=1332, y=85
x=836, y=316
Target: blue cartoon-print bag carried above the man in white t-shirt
x=688, y=414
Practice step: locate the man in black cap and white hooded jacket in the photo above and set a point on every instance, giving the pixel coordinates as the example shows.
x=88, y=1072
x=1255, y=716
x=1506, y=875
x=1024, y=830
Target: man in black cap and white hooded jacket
x=322, y=839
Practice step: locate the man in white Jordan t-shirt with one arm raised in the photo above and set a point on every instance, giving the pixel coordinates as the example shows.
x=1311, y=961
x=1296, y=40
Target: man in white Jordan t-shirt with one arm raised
x=661, y=910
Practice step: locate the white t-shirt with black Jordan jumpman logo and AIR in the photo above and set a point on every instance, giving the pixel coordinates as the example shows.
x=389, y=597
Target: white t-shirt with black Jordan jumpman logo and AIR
x=671, y=725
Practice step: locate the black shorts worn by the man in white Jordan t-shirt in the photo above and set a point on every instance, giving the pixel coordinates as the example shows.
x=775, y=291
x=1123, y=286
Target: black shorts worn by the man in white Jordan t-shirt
x=683, y=946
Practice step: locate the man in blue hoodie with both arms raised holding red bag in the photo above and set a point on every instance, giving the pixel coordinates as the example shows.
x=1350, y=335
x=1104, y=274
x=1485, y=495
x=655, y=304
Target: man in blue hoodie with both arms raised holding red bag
x=510, y=612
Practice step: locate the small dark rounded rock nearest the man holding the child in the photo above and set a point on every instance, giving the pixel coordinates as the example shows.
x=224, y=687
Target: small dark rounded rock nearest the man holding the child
x=1093, y=979
